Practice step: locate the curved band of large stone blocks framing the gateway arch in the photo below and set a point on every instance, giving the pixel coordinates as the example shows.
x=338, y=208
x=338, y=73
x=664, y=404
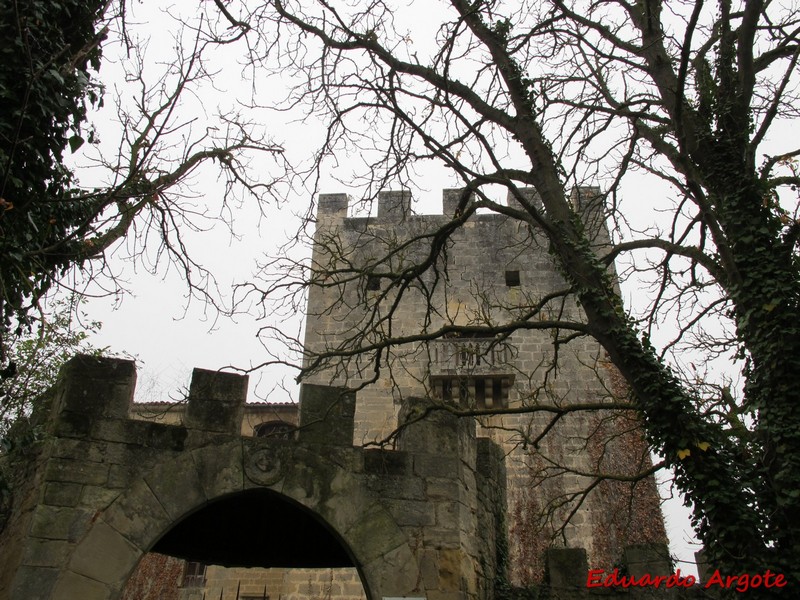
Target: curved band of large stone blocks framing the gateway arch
x=158, y=500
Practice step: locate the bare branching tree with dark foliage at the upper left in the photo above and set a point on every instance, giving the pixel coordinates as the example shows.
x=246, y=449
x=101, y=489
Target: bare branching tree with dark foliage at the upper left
x=51, y=223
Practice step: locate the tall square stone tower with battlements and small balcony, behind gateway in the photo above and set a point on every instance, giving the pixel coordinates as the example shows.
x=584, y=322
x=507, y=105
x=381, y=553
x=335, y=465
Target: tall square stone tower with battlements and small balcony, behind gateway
x=435, y=293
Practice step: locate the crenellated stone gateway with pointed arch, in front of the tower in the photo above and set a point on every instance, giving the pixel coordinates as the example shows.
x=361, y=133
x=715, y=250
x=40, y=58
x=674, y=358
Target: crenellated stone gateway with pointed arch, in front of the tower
x=417, y=521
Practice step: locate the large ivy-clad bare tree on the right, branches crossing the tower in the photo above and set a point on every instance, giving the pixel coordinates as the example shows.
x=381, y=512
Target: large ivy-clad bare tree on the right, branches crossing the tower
x=560, y=95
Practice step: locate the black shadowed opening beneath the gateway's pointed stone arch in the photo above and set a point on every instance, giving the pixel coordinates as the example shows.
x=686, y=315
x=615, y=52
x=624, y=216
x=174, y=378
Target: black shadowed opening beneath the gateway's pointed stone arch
x=256, y=528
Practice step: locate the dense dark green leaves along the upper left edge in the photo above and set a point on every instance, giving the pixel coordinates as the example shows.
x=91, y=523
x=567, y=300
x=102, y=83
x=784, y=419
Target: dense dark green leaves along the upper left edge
x=49, y=49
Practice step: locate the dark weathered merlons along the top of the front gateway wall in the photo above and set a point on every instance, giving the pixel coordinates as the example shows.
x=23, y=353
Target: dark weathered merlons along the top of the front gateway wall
x=94, y=392
